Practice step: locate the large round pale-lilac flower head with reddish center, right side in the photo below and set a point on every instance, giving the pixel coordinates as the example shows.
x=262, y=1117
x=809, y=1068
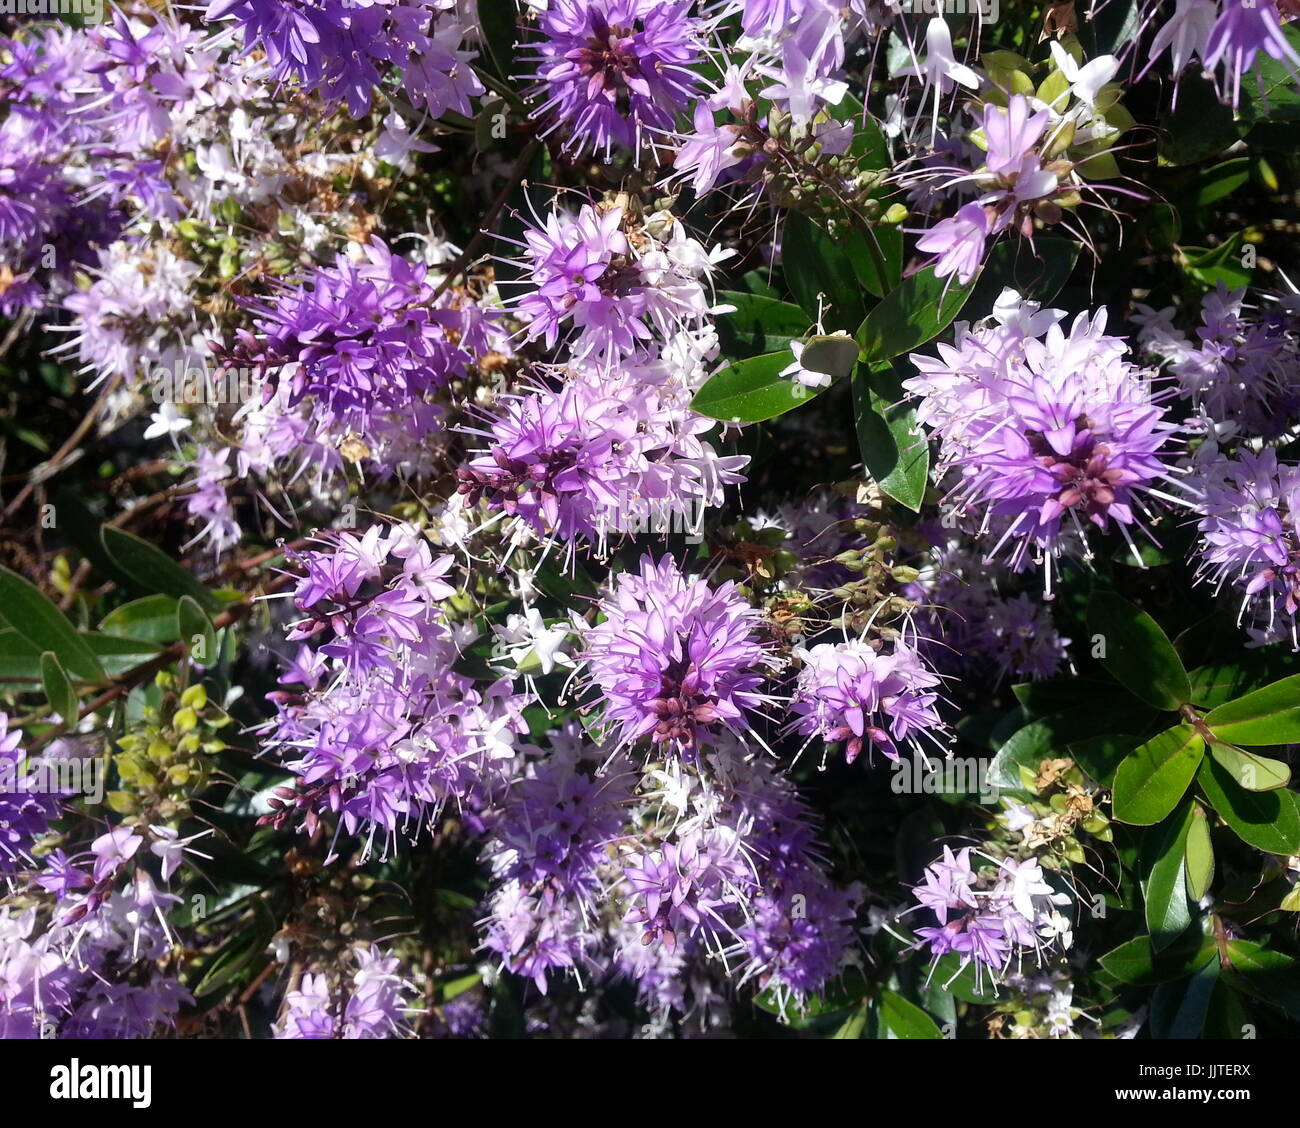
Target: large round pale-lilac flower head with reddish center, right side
x=1047, y=429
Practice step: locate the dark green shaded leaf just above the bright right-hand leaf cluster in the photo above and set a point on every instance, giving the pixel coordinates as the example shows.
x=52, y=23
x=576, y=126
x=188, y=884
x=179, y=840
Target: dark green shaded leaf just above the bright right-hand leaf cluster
x=1137, y=653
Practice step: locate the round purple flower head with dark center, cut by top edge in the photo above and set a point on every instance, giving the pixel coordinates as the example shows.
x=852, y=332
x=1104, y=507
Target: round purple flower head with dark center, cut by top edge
x=609, y=72
